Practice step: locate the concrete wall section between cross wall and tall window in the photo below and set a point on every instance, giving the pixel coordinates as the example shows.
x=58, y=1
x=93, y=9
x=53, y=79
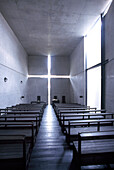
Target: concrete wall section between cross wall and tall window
x=77, y=74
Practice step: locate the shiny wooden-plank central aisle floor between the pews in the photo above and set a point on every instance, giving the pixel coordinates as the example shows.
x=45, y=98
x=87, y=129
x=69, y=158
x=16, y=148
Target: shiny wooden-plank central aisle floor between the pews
x=50, y=152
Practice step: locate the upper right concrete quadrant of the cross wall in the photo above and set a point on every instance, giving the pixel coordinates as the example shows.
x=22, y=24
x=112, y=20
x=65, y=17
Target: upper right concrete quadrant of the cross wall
x=60, y=65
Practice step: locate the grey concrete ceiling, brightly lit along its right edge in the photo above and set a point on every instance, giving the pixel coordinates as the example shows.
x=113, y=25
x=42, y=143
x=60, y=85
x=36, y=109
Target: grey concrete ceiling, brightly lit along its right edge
x=51, y=26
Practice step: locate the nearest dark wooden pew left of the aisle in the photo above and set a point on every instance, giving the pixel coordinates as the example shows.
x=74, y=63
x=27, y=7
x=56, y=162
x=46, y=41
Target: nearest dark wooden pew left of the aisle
x=14, y=152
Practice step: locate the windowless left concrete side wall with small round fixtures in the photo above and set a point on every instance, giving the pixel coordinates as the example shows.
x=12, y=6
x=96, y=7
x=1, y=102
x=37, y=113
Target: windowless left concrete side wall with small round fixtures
x=13, y=65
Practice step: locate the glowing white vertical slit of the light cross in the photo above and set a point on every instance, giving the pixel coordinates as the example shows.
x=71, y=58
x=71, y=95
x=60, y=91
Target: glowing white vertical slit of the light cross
x=49, y=81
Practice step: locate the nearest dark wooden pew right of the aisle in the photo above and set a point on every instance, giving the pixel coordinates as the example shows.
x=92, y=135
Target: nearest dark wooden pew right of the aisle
x=95, y=148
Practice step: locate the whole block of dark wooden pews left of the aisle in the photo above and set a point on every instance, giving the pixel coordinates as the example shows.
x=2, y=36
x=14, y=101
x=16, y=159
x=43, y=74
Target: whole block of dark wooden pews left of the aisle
x=19, y=126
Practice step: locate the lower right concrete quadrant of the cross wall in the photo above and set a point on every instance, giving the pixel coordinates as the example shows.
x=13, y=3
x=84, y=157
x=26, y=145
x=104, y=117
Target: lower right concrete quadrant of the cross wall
x=60, y=87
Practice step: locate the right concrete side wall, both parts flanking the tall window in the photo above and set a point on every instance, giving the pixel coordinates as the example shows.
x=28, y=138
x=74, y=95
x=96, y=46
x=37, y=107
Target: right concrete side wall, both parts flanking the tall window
x=77, y=66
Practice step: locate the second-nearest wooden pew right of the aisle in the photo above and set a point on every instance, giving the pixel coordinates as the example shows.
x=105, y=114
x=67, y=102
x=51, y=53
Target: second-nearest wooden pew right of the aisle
x=89, y=125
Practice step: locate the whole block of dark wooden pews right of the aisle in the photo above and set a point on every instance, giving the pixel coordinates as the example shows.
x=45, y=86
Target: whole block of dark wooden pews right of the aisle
x=90, y=132
